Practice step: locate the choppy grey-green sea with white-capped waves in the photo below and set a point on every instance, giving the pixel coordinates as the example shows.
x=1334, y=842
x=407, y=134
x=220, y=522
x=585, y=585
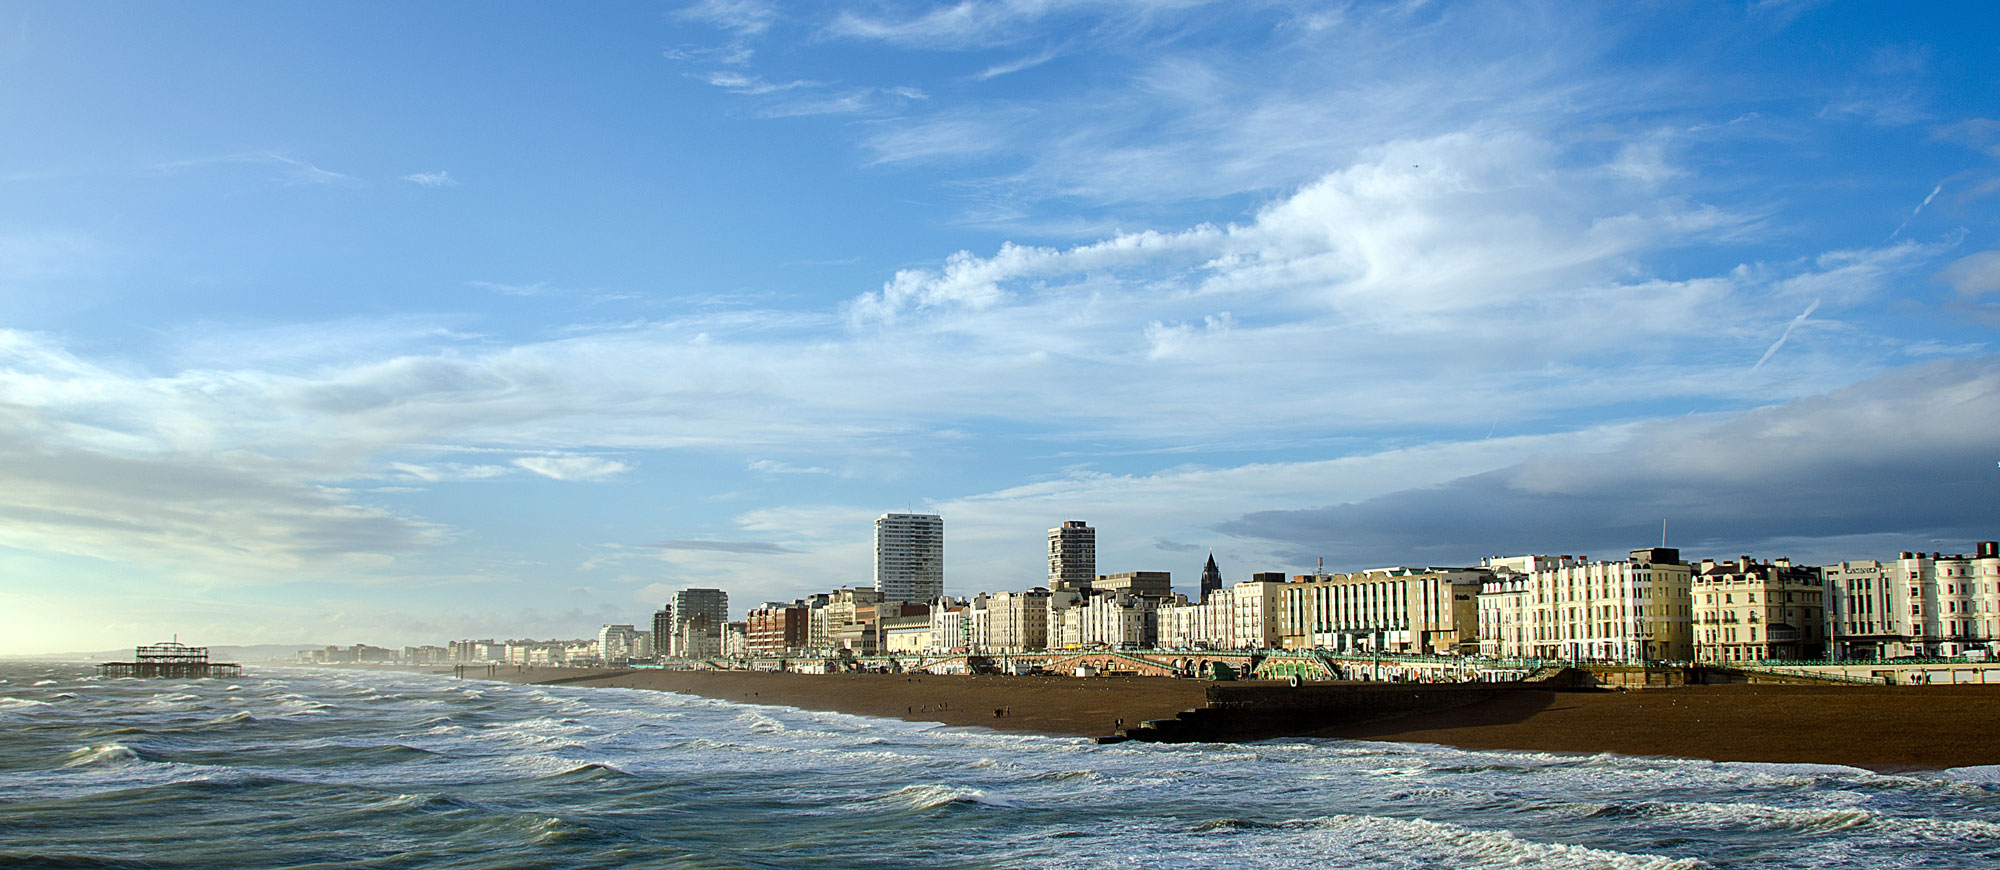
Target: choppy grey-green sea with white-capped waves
x=349, y=769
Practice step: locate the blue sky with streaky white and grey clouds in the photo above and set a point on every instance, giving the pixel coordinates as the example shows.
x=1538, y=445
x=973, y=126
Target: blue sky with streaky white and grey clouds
x=407, y=323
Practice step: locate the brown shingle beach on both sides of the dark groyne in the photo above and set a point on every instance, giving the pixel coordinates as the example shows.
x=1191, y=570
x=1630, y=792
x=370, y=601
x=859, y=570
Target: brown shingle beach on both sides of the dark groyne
x=1867, y=727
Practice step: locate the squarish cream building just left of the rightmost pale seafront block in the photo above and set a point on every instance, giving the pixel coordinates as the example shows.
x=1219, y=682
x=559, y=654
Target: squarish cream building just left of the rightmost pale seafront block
x=1757, y=611
